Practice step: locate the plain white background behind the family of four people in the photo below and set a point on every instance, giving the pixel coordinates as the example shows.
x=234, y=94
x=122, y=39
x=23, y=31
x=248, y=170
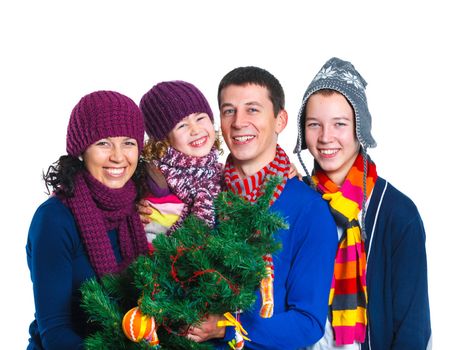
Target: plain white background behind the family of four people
x=54, y=52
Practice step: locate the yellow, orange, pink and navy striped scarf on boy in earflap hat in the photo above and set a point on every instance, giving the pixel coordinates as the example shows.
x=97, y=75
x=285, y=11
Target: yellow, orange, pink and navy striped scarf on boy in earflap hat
x=348, y=296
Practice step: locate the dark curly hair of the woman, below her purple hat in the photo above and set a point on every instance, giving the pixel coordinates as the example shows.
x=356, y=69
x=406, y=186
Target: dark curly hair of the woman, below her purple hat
x=60, y=177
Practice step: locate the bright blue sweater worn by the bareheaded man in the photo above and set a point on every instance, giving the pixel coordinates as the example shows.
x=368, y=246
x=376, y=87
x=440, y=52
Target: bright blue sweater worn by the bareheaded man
x=303, y=272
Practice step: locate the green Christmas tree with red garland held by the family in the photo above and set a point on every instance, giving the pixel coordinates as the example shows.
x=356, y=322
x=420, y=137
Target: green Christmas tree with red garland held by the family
x=192, y=273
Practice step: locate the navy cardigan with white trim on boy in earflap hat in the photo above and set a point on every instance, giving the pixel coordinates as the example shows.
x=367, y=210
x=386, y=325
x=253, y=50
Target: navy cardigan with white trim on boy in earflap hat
x=398, y=304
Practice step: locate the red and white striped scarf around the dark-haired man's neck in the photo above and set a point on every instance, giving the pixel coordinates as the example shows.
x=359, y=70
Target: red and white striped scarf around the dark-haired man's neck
x=251, y=188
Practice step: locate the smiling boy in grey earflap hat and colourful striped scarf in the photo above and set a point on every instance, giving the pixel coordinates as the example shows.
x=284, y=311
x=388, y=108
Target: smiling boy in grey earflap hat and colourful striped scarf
x=379, y=298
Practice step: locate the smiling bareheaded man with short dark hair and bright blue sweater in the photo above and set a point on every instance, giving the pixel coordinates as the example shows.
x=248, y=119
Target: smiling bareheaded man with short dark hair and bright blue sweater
x=291, y=309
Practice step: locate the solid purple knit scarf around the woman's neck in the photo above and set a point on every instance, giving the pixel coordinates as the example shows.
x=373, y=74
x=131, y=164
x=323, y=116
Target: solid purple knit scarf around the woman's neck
x=98, y=209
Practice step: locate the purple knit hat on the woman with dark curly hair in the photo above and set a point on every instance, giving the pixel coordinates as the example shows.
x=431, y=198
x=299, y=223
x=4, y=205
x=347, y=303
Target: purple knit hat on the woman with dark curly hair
x=103, y=114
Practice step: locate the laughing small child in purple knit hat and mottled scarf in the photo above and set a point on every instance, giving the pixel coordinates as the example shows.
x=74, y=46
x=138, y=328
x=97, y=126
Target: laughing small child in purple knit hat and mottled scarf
x=184, y=175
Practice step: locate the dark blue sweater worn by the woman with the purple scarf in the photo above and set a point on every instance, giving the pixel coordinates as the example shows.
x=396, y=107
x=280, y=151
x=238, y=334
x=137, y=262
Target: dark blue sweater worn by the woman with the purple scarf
x=58, y=265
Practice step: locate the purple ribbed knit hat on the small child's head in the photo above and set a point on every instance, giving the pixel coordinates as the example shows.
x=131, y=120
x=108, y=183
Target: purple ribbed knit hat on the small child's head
x=167, y=103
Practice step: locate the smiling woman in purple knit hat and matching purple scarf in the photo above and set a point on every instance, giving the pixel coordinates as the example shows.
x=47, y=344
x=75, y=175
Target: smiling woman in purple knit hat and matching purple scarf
x=89, y=226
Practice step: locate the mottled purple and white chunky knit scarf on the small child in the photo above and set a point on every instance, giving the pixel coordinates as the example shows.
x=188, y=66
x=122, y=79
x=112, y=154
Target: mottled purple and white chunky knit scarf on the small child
x=195, y=180
